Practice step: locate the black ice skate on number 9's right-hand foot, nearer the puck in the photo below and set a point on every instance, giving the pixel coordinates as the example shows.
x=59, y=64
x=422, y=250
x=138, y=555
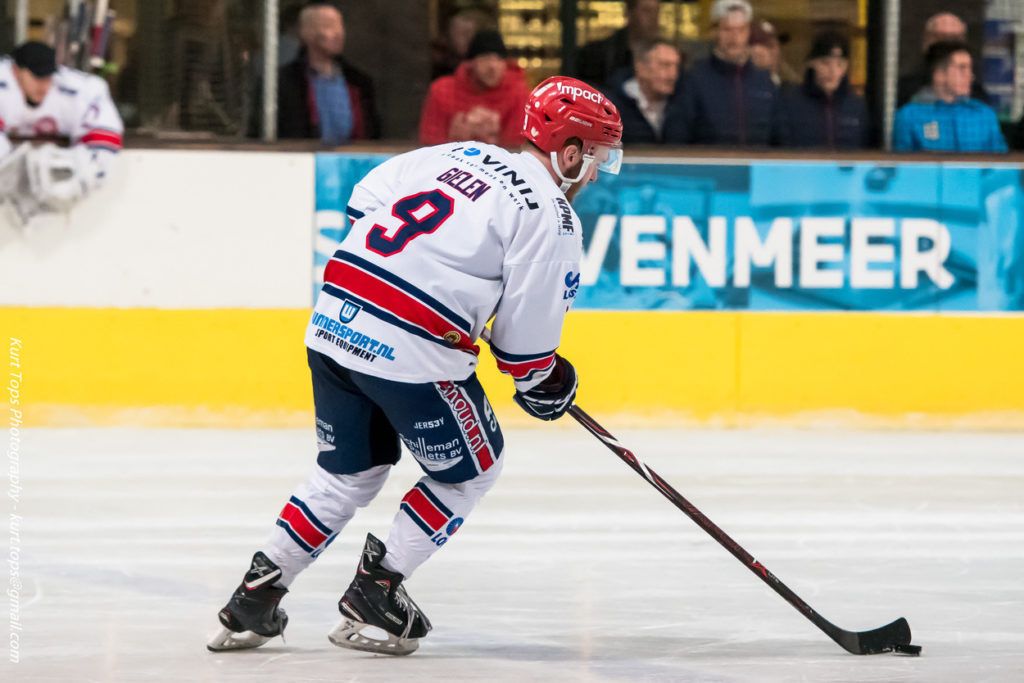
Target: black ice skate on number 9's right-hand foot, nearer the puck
x=377, y=615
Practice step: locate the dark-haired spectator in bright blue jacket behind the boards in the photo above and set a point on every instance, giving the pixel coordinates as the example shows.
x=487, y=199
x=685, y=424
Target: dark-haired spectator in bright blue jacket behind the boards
x=944, y=117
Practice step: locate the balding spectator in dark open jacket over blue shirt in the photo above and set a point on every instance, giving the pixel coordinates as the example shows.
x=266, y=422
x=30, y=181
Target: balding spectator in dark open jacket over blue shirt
x=320, y=95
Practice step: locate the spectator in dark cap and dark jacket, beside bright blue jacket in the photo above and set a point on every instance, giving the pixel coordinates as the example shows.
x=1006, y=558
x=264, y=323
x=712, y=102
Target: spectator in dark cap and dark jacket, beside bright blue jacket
x=824, y=112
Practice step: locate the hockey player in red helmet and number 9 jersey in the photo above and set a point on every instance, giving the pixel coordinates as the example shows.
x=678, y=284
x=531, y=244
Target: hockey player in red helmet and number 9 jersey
x=444, y=239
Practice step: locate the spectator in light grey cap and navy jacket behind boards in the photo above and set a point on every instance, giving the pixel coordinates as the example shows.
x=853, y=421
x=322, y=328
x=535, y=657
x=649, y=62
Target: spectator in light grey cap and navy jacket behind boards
x=727, y=100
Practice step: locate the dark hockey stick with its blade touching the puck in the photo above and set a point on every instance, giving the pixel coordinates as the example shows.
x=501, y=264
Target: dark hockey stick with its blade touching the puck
x=893, y=637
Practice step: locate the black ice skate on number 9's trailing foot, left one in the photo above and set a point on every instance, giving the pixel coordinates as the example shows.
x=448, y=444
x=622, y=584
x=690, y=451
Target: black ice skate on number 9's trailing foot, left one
x=251, y=618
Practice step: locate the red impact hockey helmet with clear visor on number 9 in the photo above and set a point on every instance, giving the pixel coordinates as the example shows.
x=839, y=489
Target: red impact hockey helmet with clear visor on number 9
x=564, y=108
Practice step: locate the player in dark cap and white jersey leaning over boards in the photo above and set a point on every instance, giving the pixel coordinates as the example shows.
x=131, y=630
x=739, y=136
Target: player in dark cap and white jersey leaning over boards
x=42, y=104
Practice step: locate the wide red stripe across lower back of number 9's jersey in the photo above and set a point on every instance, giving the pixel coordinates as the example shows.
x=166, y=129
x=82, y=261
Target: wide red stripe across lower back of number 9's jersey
x=396, y=302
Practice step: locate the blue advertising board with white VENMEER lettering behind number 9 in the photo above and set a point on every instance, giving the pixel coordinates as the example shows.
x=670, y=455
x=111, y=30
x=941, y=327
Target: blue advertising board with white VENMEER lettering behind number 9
x=779, y=236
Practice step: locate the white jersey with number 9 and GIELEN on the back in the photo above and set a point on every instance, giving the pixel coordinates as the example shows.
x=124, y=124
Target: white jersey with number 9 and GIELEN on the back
x=445, y=239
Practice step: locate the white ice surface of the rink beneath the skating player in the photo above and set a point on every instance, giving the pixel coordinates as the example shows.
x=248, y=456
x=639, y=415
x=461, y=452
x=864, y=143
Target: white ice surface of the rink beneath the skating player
x=572, y=570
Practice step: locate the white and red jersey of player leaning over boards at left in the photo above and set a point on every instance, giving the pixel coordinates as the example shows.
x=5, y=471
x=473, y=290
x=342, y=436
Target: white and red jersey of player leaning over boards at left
x=78, y=107
